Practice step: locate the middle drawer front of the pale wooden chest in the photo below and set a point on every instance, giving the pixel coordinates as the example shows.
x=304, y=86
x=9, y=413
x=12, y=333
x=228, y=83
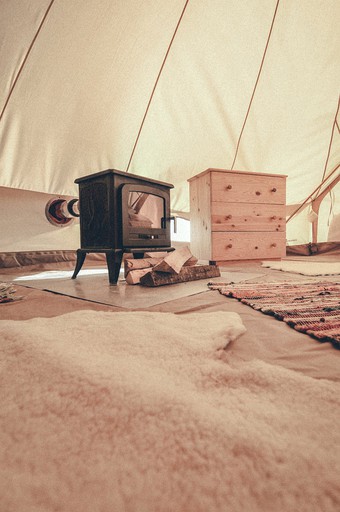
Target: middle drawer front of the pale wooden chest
x=247, y=217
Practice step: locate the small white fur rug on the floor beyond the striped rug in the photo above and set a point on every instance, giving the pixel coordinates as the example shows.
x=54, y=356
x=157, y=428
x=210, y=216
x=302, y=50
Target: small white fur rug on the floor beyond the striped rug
x=306, y=268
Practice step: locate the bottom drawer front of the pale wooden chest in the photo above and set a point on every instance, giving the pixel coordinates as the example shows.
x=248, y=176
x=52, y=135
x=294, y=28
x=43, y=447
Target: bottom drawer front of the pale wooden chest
x=247, y=246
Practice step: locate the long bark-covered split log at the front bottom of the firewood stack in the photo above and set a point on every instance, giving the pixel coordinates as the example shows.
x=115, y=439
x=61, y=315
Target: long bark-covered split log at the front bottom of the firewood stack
x=189, y=273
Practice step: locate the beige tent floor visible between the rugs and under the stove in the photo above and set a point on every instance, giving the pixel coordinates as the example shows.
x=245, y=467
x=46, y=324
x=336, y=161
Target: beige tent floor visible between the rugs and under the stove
x=48, y=291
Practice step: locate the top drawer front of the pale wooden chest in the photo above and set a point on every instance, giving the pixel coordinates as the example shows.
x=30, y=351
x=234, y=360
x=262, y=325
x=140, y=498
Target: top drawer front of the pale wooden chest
x=239, y=188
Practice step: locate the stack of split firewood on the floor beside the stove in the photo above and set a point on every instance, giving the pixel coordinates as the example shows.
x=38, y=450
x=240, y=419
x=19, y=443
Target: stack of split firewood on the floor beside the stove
x=160, y=268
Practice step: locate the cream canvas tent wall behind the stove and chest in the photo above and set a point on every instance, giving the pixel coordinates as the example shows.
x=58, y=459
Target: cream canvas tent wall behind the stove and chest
x=164, y=89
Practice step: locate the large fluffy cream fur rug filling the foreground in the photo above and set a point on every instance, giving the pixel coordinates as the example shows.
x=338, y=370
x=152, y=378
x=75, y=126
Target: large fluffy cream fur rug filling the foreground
x=141, y=412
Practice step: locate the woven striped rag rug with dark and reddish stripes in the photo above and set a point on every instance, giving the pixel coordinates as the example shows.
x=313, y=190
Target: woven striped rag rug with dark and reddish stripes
x=311, y=308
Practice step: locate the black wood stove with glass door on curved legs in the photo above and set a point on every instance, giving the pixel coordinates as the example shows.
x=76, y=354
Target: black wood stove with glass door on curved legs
x=121, y=212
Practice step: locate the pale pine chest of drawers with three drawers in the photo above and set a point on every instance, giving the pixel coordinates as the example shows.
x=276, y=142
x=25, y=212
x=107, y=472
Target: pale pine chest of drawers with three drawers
x=237, y=215
